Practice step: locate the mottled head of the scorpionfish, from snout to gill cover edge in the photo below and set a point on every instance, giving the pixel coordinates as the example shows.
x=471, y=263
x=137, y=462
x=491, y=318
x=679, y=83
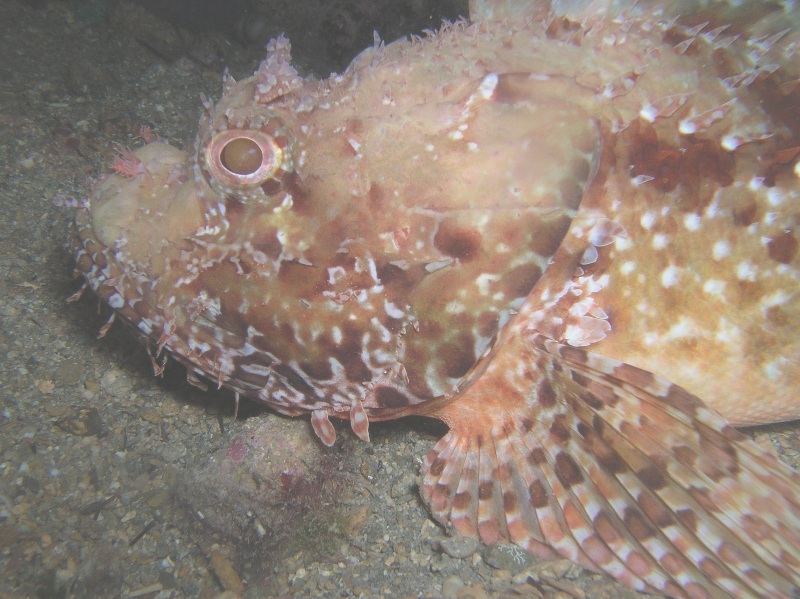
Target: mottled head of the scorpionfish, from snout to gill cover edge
x=364, y=237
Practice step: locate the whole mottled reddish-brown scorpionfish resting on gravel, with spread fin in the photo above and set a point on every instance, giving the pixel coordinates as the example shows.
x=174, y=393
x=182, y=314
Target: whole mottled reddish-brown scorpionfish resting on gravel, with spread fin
x=568, y=230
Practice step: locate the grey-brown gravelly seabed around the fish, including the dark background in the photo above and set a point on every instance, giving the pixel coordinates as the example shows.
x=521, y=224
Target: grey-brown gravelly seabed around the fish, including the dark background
x=114, y=483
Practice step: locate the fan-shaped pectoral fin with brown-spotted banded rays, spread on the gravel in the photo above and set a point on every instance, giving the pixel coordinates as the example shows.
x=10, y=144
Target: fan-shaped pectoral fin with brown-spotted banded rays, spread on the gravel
x=608, y=465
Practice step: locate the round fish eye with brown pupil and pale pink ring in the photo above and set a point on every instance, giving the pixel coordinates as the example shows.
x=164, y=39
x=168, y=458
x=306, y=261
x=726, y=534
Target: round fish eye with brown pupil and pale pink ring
x=243, y=158
